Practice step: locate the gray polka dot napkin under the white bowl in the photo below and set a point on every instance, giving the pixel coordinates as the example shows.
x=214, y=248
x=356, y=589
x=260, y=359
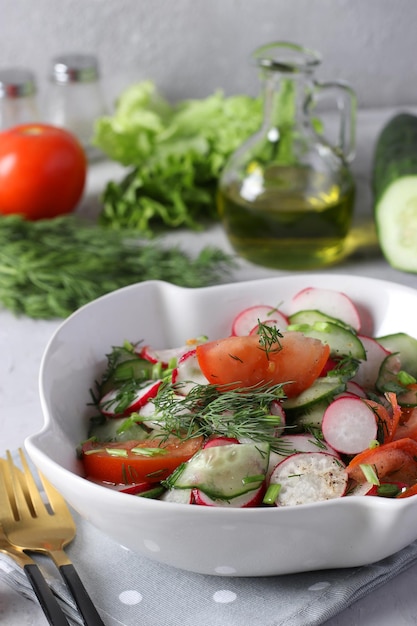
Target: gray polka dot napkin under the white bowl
x=128, y=589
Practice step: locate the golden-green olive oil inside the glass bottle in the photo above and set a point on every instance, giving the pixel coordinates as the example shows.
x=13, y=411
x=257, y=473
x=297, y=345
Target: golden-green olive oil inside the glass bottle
x=302, y=227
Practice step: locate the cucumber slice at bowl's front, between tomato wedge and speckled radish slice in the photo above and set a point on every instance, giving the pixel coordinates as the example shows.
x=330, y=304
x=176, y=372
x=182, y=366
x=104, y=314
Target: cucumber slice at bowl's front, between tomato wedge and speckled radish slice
x=224, y=471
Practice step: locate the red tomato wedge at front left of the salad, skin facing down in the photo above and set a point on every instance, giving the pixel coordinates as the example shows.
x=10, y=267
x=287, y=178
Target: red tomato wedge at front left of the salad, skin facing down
x=132, y=462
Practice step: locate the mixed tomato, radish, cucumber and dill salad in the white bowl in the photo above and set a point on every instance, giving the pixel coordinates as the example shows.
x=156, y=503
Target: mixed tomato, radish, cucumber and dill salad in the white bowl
x=290, y=408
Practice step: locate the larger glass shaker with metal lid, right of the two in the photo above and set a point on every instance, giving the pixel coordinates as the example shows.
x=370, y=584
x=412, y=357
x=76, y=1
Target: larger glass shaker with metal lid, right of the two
x=75, y=99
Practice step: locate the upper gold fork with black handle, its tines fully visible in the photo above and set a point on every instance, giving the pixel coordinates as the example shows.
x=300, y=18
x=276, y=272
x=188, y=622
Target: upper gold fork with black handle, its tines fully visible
x=31, y=525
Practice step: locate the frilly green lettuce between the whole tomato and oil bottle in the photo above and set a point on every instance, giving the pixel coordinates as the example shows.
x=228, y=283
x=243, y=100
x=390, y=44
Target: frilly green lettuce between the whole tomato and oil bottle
x=175, y=154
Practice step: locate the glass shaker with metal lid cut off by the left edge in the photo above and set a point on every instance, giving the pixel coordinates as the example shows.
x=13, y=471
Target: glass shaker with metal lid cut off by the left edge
x=18, y=97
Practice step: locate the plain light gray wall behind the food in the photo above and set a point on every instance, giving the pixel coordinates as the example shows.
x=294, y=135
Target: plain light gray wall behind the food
x=192, y=47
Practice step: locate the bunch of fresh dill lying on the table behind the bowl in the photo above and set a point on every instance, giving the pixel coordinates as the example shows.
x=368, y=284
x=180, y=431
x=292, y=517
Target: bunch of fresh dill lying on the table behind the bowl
x=51, y=267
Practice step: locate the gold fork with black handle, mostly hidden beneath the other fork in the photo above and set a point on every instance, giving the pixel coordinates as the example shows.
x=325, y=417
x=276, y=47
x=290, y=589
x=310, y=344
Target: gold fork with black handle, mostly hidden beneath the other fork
x=53, y=612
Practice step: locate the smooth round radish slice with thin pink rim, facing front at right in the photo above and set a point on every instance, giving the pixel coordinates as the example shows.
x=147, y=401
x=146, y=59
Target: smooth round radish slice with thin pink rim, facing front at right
x=349, y=425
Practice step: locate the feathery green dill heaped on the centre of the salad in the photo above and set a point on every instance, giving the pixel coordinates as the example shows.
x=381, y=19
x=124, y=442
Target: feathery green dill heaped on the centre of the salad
x=210, y=409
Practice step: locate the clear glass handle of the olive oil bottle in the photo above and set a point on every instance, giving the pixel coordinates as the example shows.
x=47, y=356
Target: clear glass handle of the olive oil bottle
x=345, y=99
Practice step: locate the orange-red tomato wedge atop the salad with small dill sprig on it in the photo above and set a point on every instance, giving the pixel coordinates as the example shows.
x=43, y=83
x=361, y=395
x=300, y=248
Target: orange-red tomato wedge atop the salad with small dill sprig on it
x=244, y=362
